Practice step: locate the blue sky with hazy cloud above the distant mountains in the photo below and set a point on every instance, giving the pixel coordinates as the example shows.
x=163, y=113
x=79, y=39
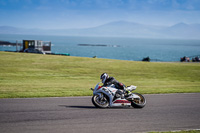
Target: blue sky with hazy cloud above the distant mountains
x=70, y=14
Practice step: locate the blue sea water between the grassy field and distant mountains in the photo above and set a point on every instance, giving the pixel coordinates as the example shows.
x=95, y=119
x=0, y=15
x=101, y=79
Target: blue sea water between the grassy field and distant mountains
x=114, y=47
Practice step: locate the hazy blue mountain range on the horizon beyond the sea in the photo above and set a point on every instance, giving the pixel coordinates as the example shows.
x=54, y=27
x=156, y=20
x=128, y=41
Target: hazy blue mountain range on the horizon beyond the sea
x=117, y=29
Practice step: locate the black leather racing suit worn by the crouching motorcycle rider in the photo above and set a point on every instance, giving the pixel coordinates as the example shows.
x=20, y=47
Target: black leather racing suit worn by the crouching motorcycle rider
x=117, y=84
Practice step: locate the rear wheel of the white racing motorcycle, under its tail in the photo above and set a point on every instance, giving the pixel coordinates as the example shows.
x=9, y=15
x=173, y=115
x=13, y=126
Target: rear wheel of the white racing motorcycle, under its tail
x=139, y=102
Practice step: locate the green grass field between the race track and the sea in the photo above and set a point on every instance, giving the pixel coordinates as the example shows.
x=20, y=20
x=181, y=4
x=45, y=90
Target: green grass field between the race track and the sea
x=35, y=75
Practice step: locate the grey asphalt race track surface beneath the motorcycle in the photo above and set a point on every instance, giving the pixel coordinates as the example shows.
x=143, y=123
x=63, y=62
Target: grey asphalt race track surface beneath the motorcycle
x=163, y=112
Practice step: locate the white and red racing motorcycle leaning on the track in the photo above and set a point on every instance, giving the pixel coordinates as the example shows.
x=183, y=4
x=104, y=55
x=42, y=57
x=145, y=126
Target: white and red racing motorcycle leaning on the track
x=109, y=96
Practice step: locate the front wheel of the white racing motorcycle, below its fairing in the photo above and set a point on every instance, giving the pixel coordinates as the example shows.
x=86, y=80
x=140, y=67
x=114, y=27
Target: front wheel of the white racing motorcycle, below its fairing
x=100, y=102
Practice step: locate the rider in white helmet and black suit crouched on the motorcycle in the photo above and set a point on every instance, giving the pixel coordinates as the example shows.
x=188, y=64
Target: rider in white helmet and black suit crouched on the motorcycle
x=106, y=80
